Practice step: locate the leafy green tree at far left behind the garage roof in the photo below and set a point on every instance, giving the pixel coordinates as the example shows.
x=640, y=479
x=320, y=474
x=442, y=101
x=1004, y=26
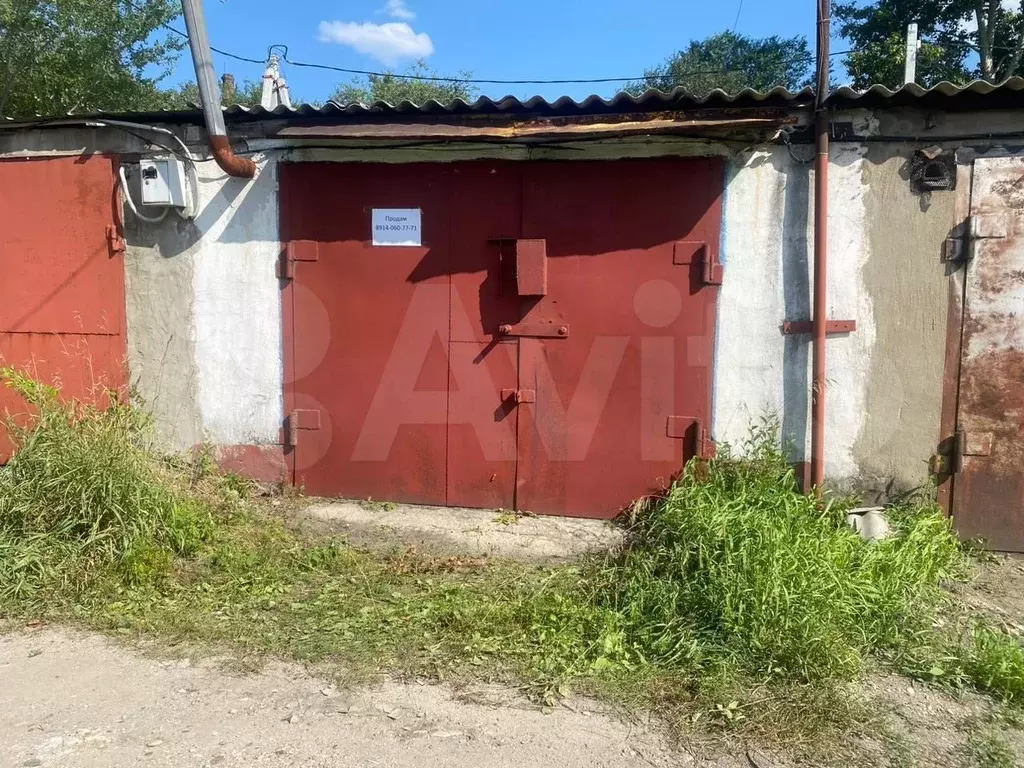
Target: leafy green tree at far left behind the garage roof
x=81, y=56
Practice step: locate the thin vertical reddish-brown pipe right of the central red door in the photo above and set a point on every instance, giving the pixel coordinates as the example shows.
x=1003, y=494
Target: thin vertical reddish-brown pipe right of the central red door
x=821, y=310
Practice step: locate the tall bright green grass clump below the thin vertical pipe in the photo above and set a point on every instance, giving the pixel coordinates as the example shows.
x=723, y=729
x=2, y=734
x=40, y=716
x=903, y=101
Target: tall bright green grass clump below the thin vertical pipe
x=737, y=569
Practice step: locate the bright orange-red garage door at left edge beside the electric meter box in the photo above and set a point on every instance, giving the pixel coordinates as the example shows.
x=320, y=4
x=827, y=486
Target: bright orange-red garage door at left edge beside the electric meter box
x=62, y=295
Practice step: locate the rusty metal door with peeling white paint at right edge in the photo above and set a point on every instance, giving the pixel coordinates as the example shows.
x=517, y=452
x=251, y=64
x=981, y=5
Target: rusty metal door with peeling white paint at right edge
x=989, y=493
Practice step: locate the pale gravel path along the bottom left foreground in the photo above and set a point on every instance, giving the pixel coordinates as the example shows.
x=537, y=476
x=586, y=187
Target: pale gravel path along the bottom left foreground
x=70, y=699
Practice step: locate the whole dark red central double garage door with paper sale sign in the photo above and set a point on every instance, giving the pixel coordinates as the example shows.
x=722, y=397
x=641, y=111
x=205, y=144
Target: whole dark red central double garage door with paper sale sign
x=547, y=347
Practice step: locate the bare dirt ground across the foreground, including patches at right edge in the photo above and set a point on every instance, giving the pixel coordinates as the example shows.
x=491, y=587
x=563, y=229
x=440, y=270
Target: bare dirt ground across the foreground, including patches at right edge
x=75, y=699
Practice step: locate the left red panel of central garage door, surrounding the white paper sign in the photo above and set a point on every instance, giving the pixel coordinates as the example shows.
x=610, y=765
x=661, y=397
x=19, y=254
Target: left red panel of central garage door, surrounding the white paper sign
x=369, y=333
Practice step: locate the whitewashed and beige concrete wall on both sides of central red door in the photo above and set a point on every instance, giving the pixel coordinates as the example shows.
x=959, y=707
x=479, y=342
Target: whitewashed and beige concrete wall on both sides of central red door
x=205, y=326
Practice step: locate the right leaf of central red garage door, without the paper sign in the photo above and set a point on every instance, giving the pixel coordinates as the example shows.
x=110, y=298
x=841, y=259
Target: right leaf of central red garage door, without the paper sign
x=638, y=322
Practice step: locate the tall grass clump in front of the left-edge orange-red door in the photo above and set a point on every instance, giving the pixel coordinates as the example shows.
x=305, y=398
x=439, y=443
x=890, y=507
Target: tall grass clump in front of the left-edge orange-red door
x=82, y=495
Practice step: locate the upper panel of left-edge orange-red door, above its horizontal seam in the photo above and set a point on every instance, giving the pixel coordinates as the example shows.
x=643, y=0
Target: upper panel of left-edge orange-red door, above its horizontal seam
x=60, y=275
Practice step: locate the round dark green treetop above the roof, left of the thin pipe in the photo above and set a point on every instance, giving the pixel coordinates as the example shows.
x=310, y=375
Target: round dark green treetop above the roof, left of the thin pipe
x=732, y=63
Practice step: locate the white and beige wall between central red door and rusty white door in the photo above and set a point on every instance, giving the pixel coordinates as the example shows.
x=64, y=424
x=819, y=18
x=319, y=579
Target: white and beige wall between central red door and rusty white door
x=884, y=382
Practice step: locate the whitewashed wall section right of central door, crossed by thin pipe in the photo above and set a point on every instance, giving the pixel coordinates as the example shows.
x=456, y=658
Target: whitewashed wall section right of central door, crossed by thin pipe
x=767, y=229
